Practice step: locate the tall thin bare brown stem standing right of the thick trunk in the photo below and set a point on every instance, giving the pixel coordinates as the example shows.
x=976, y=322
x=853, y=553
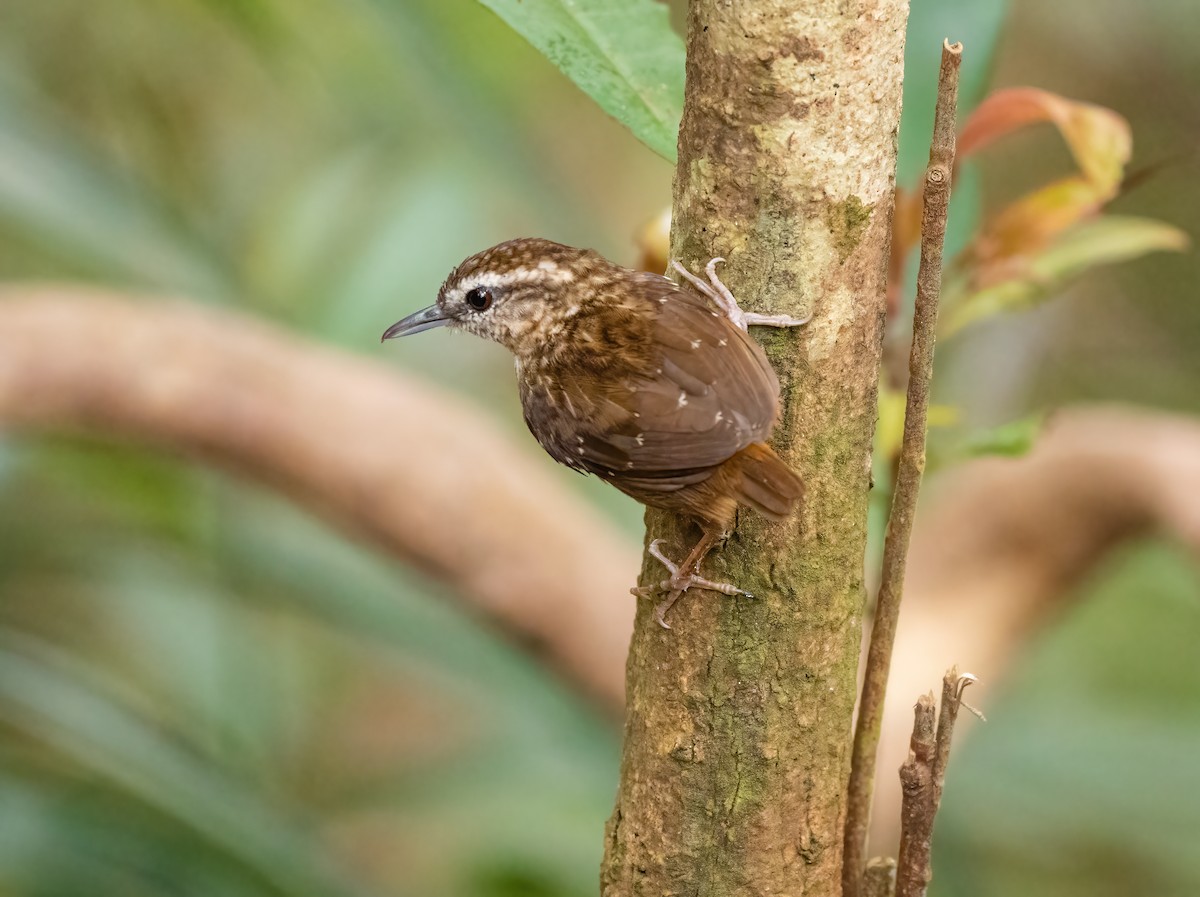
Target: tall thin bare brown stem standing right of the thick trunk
x=909, y=473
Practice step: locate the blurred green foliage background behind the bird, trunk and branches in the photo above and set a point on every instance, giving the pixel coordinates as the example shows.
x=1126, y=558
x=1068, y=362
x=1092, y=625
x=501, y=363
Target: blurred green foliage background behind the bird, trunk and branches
x=206, y=691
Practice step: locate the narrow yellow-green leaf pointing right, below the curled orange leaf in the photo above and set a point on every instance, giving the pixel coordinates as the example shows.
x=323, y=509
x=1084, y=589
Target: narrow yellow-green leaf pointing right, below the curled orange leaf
x=1100, y=242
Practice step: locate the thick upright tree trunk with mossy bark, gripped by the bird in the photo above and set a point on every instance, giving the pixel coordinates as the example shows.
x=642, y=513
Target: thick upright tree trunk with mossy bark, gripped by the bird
x=737, y=731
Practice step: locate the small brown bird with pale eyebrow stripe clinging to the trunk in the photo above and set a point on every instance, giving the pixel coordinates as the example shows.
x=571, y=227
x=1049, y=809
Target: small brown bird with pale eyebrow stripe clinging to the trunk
x=628, y=376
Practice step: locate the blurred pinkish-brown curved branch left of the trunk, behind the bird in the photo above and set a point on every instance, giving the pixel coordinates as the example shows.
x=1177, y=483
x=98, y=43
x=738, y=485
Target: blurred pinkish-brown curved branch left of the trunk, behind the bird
x=401, y=465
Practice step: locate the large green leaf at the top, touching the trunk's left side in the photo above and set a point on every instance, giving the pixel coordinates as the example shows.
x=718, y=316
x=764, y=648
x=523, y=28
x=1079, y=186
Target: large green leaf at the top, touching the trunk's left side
x=621, y=53
